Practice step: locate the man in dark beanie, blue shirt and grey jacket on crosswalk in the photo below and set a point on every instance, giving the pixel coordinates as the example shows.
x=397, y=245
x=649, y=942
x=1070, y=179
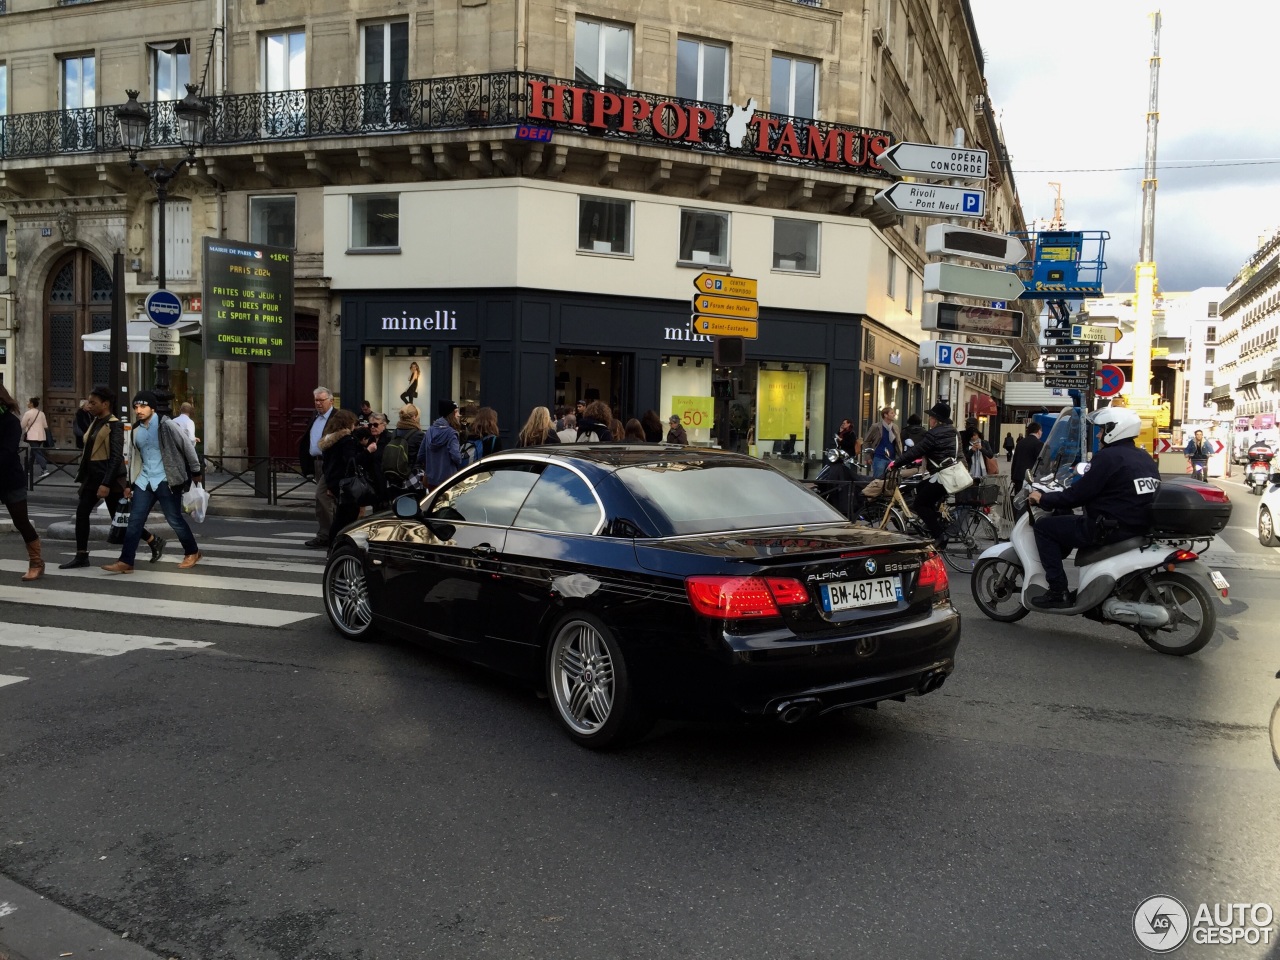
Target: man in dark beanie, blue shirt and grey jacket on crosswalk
x=164, y=463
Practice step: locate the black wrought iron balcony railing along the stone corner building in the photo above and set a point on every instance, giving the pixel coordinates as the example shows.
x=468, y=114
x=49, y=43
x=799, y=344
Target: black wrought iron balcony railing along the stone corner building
x=437, y=104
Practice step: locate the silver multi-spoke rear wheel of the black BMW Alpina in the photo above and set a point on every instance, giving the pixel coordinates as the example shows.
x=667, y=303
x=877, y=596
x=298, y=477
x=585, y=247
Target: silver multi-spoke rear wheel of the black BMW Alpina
x=589, y=684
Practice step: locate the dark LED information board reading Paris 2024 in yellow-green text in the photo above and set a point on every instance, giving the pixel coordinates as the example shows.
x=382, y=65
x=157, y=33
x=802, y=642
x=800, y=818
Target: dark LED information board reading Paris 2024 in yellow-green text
x=249, y=303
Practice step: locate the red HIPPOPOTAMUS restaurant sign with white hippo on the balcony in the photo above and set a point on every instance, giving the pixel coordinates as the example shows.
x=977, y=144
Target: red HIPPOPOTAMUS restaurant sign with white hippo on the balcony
x=732, y=130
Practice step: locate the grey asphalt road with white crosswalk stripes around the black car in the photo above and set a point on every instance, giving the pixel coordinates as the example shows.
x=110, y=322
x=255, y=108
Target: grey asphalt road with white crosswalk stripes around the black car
x=253, y=787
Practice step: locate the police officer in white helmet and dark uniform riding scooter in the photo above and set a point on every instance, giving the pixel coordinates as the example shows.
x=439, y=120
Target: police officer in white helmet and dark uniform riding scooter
x=1117, y=493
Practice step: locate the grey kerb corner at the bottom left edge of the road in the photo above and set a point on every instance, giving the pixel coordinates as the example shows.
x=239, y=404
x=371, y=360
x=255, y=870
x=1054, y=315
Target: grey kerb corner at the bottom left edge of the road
x=34, y=927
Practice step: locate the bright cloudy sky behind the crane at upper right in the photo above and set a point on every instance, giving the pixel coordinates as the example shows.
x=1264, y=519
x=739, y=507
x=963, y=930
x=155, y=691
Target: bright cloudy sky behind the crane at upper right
x=1071, y=86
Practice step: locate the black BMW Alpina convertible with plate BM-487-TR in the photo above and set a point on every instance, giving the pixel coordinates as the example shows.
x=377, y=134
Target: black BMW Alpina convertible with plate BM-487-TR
x=642, y=580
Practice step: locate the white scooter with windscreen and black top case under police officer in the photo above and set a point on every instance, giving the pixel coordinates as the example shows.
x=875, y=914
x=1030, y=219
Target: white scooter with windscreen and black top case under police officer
x=1153, y=584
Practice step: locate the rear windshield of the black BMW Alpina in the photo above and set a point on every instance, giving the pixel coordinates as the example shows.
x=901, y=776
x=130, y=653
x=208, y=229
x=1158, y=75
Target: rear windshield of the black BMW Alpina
x=707, y=497
